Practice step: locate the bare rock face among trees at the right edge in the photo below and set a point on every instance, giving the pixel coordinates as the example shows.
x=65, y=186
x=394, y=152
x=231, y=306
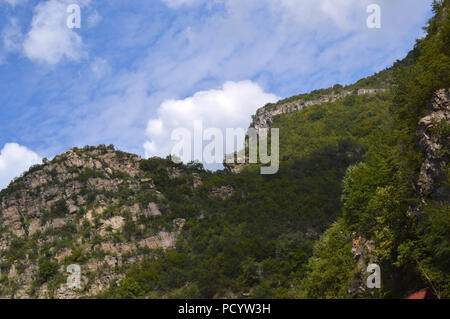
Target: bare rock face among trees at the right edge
x=431, y=141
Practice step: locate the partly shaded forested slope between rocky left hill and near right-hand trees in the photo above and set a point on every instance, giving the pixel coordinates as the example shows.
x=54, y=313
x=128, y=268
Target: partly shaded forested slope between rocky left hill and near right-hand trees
x=257, y=242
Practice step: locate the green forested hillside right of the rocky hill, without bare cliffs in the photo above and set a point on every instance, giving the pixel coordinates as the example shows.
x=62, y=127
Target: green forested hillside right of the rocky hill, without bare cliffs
x=259, y=243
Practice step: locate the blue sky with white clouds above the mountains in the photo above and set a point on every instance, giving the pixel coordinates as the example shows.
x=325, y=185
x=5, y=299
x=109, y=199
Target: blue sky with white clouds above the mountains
x=136, y=70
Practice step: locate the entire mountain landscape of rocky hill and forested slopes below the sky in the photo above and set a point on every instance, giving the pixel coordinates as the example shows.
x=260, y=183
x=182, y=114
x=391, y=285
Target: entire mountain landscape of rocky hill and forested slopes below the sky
x=363, y=179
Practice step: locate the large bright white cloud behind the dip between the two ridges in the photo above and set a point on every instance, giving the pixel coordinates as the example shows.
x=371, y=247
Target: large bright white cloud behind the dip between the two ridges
x=231, y=106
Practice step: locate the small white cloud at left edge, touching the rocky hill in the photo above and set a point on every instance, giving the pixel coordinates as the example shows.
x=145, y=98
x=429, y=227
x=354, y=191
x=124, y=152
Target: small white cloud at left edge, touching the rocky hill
x=14, y=160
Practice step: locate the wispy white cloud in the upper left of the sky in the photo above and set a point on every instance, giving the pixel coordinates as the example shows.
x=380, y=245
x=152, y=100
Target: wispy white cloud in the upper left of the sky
x=50, y=40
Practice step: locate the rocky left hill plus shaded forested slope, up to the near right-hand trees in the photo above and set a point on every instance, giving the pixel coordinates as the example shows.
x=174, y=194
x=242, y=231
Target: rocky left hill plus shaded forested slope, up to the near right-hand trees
x=114, y=214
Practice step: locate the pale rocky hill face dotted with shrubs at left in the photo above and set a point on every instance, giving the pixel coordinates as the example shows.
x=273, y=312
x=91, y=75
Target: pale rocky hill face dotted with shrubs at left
x=93, y=207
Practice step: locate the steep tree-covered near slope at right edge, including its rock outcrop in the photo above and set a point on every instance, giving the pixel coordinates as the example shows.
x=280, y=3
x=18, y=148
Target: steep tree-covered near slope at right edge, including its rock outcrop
x=398, y=198
